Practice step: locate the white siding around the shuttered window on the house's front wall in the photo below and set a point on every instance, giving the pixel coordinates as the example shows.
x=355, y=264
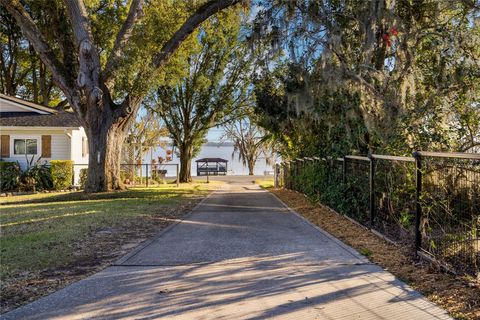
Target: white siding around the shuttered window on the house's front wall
x=60, y=147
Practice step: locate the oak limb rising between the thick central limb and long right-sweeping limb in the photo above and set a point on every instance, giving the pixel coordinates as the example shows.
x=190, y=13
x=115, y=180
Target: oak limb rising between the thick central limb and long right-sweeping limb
x=134, y=14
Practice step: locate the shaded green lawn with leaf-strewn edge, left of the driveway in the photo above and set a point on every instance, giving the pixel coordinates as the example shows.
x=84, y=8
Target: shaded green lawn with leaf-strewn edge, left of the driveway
x=43, y=234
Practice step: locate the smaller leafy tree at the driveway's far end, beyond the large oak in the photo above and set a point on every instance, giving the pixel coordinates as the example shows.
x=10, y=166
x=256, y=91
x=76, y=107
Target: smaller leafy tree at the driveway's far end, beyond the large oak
x=215, y=85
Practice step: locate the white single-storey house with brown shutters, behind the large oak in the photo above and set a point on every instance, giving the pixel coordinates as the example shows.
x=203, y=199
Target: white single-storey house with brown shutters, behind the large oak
x=30, y=130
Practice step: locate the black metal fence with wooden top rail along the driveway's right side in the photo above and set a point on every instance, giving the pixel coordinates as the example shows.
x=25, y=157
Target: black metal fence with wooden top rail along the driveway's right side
x=430, y=201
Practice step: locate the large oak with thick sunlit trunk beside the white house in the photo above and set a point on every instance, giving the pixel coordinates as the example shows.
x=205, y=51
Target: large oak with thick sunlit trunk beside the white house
x=105, y=69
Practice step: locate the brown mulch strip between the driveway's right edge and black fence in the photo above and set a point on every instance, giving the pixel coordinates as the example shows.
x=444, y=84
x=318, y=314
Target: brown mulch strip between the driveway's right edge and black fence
x=460, y=296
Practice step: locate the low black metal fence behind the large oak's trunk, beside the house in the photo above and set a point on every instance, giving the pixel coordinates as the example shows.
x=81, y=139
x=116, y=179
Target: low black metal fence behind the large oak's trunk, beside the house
x=135, y=175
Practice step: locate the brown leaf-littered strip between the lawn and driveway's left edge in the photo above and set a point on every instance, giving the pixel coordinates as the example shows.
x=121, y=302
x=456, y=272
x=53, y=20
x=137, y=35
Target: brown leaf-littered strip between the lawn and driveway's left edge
x=101, y=249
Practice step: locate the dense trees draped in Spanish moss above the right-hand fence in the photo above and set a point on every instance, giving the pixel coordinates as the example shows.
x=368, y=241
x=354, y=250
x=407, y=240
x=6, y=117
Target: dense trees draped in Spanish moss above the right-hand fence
x=383, y=76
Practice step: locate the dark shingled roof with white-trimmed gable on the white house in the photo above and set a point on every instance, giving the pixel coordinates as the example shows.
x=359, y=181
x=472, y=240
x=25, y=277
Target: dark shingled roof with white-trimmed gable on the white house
x=34, y=115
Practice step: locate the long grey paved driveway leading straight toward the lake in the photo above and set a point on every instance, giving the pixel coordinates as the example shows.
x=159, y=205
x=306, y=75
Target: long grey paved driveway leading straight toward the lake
x=240, y=255
